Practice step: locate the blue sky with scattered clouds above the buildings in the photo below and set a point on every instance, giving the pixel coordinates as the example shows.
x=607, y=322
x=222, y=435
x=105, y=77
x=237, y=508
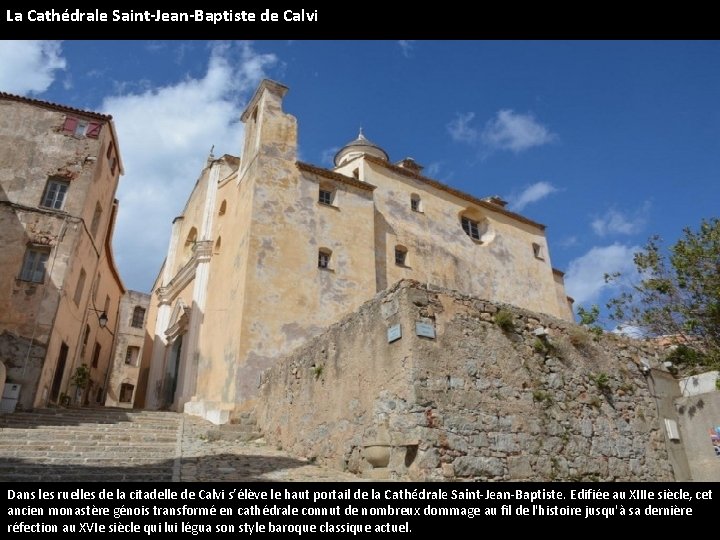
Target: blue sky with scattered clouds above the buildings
x=606, y=143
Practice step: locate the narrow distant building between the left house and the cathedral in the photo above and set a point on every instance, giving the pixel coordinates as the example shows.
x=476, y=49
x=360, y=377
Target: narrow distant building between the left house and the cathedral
x=128, y=353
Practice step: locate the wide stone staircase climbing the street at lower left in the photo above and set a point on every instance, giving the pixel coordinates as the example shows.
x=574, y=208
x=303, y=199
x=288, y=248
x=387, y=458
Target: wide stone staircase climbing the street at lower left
x=102, y=444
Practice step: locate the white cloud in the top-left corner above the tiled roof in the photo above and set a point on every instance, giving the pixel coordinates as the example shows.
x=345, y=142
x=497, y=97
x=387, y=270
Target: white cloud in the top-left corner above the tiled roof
x=29, y=67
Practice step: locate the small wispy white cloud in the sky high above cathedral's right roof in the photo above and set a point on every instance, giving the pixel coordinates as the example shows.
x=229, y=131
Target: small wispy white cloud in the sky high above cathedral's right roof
x=516, y=132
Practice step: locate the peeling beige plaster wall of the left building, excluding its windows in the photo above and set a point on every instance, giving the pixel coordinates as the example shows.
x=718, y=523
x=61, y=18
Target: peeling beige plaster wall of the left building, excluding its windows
x=36, y=318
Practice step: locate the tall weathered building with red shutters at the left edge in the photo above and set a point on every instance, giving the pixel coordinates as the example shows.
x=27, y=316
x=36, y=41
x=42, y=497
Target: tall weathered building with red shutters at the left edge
x=59, y=288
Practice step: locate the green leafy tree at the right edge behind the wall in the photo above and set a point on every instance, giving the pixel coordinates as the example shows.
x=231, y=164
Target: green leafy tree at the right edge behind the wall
x=677, y=295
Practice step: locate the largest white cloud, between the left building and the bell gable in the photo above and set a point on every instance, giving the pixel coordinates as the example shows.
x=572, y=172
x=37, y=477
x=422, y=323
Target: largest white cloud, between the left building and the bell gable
x=165, y=135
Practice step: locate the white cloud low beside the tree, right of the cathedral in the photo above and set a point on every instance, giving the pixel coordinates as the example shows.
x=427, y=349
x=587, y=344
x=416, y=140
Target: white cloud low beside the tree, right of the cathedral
x=585, y=280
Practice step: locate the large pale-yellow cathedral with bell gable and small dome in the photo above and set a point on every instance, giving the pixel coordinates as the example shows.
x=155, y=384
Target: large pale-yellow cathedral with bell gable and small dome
x=269, y=251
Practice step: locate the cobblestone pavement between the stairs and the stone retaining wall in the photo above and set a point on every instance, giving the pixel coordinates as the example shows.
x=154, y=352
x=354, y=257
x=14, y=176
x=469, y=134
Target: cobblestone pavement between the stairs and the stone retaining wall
x=204, y=458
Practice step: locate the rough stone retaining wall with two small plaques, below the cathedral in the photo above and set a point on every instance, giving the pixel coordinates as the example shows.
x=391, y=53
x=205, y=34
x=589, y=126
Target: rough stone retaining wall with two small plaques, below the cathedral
x=540, y=399
